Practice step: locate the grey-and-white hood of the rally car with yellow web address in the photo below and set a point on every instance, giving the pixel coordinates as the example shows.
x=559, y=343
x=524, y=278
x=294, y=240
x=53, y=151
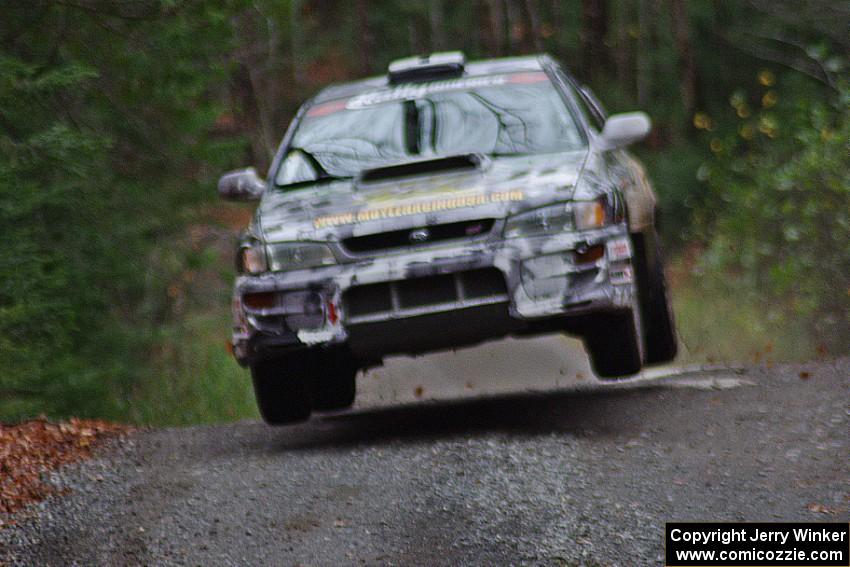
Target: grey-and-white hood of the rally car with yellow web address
x=502, y=186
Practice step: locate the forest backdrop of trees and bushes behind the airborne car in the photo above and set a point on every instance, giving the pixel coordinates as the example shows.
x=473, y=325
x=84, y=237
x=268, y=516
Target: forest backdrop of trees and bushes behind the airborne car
x=116, y=117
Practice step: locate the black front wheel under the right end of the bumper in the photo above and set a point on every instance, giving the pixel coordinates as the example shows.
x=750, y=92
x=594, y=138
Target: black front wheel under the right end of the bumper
x=613, y=344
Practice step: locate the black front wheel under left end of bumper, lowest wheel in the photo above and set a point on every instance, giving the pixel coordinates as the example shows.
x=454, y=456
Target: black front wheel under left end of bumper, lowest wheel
x=283, y=388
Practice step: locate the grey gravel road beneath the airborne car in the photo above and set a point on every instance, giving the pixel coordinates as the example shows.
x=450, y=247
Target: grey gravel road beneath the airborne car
x=579, y=474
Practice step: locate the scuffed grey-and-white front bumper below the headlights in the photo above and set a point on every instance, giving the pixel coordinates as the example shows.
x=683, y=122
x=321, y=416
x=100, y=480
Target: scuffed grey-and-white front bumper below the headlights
x=544, y=277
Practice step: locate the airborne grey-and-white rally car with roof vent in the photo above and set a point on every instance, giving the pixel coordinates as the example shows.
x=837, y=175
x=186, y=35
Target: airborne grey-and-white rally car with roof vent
x=441, y=205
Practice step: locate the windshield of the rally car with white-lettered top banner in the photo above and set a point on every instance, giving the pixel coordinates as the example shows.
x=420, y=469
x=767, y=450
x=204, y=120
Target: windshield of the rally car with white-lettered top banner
x=519, y=113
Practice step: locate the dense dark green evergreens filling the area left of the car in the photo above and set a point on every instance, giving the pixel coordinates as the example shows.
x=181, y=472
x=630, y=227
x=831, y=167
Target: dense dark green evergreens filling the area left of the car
x=104, y=119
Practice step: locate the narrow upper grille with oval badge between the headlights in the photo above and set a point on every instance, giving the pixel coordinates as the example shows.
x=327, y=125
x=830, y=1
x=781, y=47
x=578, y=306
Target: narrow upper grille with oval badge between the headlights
x=407, y=237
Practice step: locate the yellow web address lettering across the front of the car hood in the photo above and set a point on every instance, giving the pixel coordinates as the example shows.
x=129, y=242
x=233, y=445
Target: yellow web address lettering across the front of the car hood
x=395, y=211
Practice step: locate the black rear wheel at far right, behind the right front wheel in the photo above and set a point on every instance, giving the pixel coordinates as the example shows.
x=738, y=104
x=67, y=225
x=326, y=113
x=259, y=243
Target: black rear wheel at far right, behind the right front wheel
x=658, y=323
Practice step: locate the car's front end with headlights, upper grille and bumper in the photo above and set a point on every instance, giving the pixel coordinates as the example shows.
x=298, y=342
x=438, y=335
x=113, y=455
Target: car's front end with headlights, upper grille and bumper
x=470, y=275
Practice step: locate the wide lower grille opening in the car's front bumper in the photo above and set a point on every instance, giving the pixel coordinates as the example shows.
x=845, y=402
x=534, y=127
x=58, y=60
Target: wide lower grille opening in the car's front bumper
x=425, y=295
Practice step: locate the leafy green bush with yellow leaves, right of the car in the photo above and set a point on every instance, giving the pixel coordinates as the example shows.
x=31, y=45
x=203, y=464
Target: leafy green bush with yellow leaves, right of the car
x=780, y=182
